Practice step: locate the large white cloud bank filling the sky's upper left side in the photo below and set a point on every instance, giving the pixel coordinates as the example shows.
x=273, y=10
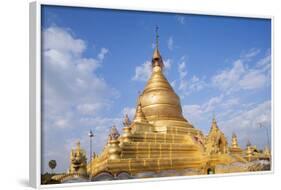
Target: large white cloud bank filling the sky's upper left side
x=76, y=82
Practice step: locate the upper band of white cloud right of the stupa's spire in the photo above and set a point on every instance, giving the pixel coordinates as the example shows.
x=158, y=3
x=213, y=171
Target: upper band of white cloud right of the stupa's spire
x=238, y=77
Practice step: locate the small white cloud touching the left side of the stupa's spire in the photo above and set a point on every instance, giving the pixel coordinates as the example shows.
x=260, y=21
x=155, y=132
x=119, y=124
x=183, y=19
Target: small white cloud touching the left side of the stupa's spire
x=143, y=71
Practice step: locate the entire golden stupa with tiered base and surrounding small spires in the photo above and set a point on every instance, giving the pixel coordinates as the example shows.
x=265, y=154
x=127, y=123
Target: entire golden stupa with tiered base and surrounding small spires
x=159, y=141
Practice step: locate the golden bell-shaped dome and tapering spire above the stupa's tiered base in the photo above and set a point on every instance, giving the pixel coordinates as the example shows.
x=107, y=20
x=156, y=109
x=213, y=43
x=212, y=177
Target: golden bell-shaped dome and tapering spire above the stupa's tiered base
x=158, y=100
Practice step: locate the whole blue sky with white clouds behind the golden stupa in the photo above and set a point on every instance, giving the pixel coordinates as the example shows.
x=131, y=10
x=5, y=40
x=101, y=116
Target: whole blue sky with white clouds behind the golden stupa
x=95, y=61
